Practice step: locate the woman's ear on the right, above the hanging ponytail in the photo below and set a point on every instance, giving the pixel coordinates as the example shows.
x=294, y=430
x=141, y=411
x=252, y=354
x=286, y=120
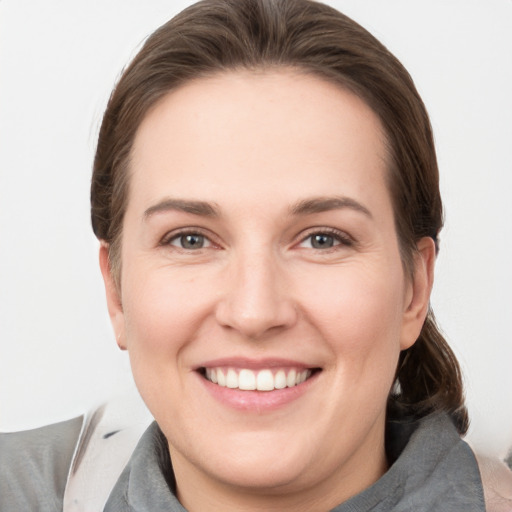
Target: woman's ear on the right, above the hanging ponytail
x=418, y=288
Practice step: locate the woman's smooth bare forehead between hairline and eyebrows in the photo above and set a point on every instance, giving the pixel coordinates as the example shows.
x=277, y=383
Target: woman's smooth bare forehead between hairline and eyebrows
x=270, y=132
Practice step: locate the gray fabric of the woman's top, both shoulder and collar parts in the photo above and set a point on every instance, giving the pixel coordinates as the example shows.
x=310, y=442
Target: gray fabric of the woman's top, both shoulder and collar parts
x=435, y=471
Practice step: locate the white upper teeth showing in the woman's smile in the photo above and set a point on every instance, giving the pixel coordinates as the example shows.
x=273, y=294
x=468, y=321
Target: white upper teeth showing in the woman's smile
x=262, y=380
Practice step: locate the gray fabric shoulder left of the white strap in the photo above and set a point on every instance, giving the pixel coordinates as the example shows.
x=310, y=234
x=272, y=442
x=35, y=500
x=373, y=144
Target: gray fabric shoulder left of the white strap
x=34, y=466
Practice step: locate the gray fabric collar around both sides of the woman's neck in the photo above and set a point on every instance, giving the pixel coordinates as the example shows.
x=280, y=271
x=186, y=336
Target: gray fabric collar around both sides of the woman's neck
x=436, y=471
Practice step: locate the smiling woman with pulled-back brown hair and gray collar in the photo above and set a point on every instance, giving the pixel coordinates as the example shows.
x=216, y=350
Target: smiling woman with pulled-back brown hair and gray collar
x=265, y=191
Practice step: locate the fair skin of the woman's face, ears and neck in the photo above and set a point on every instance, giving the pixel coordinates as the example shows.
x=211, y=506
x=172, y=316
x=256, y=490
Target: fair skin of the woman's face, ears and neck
x=257, y=147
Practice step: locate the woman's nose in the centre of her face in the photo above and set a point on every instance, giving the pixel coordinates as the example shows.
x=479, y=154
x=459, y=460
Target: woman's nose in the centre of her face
x=257, y=299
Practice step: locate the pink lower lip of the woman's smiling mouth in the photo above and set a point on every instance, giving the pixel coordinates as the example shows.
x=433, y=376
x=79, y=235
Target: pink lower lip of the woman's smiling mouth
x=258, y=401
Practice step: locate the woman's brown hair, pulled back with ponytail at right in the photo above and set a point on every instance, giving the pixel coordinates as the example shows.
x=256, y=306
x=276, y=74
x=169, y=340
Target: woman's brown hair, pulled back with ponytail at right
x=220, y=35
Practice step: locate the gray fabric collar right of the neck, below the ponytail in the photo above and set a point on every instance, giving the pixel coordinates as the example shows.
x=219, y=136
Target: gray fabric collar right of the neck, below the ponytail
x=436, y=471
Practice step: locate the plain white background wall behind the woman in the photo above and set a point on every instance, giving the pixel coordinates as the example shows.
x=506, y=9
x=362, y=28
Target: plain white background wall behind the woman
x=58, y=62
